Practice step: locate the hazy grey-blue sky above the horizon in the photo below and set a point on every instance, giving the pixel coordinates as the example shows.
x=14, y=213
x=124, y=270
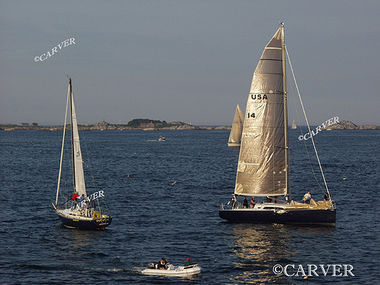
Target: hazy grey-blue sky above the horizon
x=189, y=61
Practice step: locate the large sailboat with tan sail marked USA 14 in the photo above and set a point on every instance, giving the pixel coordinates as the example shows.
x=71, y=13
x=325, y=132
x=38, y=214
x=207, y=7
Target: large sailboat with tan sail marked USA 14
x=263, y=166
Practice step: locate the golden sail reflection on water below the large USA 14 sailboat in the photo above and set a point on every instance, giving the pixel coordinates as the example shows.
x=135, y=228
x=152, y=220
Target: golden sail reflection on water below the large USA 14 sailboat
x=257, y=248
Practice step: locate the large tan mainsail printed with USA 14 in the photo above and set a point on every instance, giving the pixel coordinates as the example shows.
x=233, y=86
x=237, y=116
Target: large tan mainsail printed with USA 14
x=262, y=160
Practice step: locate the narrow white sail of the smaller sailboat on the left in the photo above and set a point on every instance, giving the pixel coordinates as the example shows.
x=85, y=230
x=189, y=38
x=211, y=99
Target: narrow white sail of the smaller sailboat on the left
x=79, y=184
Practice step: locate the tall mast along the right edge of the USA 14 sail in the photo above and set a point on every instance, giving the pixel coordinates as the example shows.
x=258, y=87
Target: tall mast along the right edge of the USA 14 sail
x=287, y=196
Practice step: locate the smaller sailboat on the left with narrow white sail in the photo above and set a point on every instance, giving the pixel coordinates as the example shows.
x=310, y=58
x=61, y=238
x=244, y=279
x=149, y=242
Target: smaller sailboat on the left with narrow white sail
x=80, y=211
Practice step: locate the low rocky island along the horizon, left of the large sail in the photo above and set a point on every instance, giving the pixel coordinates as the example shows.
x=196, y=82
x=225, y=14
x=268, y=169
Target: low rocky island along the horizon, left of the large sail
x=135, y=124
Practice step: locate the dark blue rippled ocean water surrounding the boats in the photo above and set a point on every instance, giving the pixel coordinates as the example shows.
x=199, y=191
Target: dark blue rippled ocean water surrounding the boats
x=153, y=218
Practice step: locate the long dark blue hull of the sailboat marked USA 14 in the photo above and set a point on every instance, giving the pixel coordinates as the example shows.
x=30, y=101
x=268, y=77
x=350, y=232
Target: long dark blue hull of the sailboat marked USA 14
x=299, y=216
